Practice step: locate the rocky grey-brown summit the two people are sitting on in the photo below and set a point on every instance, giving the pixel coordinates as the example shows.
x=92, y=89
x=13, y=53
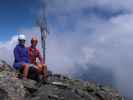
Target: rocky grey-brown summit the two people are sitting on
x=57, y=87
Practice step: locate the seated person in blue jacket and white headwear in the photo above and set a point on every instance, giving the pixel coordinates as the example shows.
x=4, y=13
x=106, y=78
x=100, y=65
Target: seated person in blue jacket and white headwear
x=21, y=56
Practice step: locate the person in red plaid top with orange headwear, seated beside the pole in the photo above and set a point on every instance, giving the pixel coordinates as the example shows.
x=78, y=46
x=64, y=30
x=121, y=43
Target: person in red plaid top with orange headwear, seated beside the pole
x=34, y=53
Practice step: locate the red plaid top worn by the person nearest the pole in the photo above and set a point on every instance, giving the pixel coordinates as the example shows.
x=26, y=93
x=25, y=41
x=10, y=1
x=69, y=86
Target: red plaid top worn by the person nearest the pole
x=34, y=54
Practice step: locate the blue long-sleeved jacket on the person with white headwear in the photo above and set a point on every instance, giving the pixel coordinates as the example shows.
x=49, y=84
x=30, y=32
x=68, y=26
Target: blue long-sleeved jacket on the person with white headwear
x=21, y=55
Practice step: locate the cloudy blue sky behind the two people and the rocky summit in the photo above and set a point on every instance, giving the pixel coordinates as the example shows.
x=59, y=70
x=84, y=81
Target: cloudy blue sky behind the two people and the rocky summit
x=97, y=32
